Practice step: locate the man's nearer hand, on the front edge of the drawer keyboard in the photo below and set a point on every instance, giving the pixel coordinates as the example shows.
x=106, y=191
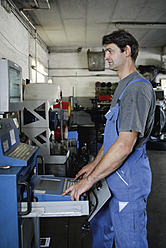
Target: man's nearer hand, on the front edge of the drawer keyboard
x=78, y=189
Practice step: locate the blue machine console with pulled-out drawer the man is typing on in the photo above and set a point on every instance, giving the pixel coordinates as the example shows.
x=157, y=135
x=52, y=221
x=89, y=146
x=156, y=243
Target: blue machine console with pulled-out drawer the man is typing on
x=26, y=196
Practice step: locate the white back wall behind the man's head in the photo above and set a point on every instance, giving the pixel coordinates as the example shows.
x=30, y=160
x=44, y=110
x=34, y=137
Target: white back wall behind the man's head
x=71, y=70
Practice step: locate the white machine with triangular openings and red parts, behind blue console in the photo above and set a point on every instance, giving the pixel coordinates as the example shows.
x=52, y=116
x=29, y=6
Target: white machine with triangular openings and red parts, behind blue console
x=44, y=119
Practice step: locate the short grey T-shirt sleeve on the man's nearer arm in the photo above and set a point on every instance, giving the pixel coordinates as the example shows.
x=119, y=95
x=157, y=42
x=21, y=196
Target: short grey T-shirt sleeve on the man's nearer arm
x=134, y=108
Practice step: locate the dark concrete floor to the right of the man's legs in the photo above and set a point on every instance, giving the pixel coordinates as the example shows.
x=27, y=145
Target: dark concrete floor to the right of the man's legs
x=156, y=208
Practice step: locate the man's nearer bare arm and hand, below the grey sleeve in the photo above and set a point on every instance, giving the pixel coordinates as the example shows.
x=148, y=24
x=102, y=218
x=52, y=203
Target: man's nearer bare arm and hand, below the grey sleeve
x=110, y=162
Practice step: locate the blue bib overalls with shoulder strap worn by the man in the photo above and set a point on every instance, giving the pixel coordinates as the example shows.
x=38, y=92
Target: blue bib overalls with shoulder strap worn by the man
x=123, y=218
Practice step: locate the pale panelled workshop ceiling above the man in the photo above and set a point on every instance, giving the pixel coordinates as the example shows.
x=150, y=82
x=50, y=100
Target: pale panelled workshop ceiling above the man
x=82, y=23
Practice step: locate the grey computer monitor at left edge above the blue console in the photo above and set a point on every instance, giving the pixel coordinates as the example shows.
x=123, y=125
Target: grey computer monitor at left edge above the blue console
x=10, y=86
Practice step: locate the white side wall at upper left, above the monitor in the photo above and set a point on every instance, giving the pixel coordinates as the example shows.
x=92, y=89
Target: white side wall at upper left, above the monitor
x=16, y=44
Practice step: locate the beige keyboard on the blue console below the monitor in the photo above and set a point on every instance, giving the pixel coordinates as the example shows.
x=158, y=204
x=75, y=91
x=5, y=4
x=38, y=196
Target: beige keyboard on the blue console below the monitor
x=22, y=151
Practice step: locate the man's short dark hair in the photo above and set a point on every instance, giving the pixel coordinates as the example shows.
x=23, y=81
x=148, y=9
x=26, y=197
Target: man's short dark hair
x=122, y=38
